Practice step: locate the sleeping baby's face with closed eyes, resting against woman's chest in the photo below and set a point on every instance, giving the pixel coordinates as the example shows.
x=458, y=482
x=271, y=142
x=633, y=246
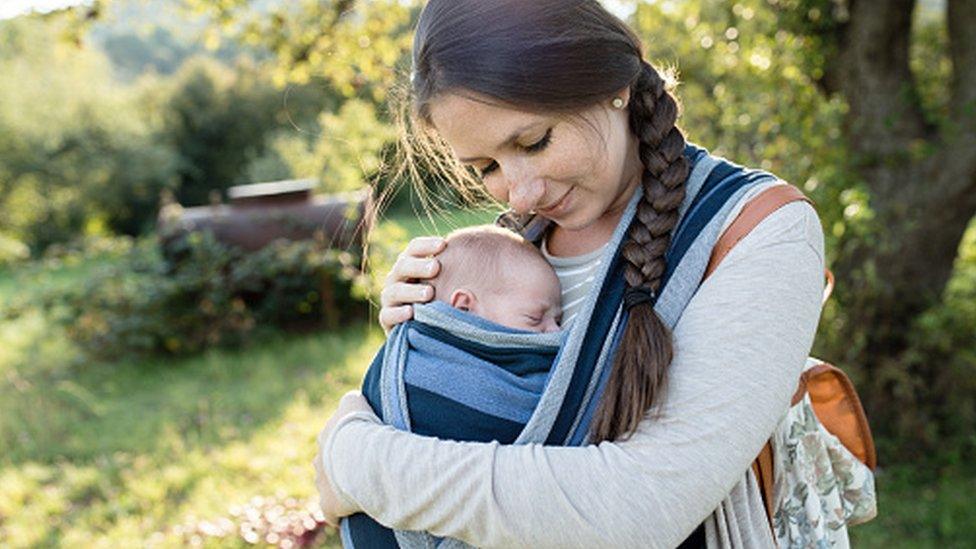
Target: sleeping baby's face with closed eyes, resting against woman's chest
x=528, y=299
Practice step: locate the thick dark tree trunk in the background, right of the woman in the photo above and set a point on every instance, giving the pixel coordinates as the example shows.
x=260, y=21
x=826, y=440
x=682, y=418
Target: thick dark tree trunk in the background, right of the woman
x=921, y=180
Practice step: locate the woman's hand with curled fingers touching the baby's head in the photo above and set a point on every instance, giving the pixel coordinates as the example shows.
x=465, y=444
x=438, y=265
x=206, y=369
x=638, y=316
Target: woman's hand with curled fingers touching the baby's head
x=402, y=286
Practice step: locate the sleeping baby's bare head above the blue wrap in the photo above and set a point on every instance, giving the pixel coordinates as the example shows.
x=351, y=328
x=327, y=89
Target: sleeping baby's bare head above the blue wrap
x=496, y=274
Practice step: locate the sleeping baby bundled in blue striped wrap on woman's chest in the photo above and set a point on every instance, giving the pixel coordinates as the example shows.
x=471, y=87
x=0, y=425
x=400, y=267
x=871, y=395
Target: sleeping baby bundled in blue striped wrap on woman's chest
x=458, y=390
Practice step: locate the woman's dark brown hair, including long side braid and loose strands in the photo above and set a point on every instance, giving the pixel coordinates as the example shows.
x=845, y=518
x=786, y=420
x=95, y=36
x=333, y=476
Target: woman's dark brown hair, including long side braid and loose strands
x=563, y=56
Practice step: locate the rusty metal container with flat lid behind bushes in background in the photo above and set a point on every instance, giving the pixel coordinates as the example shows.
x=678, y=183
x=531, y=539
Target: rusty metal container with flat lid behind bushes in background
x=263, y=212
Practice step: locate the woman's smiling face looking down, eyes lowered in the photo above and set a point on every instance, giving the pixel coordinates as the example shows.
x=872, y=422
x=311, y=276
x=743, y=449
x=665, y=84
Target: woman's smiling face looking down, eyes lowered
x=575, y=171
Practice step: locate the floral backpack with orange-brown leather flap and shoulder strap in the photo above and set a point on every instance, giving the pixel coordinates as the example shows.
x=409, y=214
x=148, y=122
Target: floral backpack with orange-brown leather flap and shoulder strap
x=816, y=472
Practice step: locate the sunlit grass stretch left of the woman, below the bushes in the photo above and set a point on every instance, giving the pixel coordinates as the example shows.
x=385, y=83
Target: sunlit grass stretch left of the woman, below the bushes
x=114, y=454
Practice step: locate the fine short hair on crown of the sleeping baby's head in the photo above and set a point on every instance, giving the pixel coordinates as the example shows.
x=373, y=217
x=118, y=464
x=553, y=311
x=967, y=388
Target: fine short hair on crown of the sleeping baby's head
x=484, y=256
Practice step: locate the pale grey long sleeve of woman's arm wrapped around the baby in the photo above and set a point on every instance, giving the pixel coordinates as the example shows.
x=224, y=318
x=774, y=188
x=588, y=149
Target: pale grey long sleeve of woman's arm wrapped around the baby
x=741, y=345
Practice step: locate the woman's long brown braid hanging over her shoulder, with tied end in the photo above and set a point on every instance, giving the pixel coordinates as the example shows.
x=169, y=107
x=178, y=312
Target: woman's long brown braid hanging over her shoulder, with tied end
x=638, y=377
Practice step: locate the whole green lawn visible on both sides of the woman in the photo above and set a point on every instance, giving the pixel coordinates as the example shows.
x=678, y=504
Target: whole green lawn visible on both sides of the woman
x=121, y=455
